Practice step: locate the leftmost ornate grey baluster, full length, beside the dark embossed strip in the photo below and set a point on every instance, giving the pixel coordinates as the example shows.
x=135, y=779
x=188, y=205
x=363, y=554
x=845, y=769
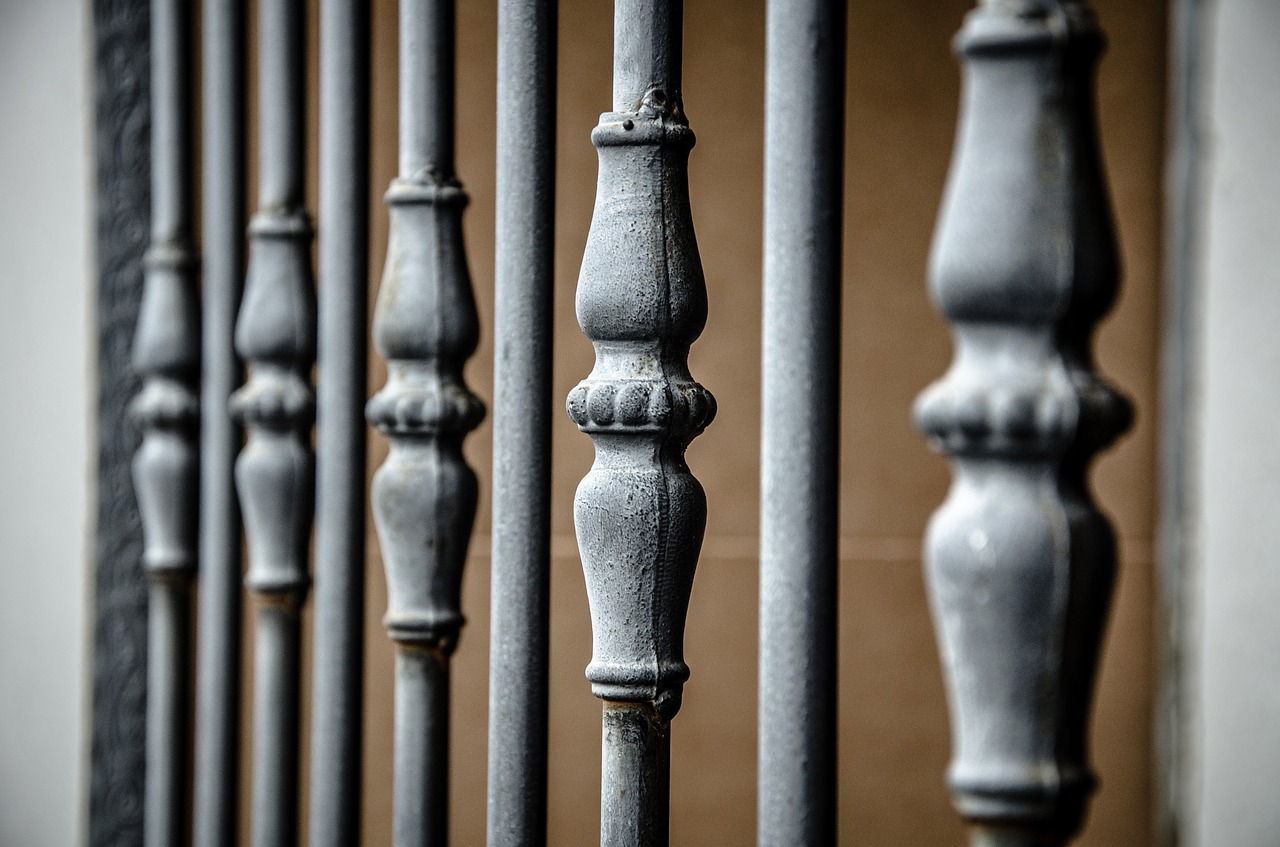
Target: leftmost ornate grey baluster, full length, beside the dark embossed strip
x=167, y=466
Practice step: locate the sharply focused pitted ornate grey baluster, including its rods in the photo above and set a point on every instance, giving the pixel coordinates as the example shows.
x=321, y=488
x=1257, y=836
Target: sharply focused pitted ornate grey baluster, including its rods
x=641, y=515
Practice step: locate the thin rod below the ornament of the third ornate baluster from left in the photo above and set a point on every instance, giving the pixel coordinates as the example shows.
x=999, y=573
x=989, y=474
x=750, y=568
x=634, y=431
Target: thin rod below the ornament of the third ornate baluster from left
x=422, y=785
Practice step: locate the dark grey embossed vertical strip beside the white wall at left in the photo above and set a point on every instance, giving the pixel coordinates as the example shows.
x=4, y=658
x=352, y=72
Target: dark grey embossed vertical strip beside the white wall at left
x=122, y=95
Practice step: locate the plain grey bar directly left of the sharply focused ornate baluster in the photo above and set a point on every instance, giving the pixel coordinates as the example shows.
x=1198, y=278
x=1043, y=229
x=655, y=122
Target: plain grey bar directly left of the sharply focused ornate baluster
x=522, y=424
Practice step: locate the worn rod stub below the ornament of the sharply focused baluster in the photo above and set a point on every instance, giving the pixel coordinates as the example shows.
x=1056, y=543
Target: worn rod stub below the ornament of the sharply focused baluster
x=636, y=789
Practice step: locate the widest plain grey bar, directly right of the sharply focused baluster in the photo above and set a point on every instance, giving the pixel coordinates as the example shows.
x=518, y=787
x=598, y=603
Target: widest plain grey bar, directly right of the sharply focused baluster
x=801, y=439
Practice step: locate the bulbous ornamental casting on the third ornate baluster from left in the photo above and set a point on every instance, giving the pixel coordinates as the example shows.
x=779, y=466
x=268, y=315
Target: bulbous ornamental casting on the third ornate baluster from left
x=426, y=495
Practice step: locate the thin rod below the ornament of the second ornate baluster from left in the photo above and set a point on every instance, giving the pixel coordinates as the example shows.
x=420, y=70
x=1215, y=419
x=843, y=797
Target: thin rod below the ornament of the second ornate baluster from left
x=277, y=665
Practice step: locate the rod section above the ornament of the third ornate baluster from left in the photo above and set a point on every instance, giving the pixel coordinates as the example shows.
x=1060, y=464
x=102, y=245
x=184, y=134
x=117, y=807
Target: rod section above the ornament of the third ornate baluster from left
x=427, y=90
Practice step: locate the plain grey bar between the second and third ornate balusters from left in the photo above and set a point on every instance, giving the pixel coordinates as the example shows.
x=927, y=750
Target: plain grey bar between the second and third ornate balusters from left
x=340, y=573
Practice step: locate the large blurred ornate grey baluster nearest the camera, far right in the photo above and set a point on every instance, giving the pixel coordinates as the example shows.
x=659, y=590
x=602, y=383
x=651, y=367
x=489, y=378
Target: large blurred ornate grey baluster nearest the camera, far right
x=1021, y=561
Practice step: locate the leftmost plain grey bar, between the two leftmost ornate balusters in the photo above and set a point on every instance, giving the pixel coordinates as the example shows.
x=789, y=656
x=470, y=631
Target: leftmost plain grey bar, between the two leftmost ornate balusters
x=218, y=671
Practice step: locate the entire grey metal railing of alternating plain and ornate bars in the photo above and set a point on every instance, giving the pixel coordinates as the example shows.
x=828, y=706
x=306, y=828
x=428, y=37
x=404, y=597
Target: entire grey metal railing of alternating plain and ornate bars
x=1021, y=561
